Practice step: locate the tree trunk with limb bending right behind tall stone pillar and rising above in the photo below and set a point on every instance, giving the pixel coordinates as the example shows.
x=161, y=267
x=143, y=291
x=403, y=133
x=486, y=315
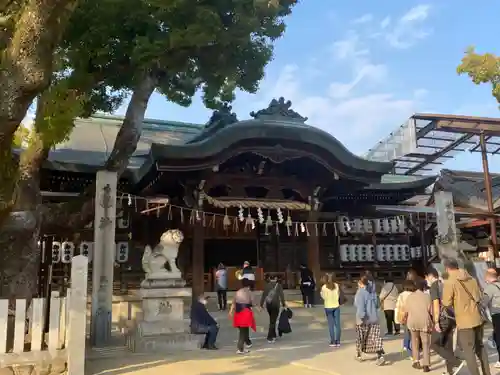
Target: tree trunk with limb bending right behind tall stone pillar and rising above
x=19, y=235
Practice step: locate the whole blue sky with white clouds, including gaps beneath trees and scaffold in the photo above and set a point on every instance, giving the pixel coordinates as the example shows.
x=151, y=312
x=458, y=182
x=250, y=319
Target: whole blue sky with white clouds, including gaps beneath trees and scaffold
x=359, y=69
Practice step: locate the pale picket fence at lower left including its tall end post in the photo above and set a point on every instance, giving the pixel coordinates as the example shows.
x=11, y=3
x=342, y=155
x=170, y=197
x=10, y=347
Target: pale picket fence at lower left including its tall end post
x=48, y=333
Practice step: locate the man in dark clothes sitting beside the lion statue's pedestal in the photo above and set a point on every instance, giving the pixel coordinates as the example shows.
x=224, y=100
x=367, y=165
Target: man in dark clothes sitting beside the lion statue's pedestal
x=203, y=323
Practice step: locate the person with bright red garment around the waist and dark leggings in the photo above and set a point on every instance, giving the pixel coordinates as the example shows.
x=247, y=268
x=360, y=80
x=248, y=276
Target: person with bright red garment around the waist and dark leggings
x=242, y=314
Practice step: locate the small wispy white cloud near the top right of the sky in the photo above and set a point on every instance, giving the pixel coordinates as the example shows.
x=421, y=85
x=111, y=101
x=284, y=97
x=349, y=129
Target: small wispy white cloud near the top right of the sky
x=409, y=28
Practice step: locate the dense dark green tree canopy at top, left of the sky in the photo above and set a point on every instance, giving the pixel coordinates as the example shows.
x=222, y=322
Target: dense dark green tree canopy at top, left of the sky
x=217, y=46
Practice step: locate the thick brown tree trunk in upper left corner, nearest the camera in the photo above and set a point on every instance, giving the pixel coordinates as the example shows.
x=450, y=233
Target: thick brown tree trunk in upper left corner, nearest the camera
x=26, y=70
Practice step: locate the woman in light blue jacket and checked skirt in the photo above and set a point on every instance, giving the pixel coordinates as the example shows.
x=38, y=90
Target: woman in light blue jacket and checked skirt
x=368, y=339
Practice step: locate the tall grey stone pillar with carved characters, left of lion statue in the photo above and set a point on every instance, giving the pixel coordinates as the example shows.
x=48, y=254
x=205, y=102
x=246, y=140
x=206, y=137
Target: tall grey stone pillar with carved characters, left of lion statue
x=103, y=257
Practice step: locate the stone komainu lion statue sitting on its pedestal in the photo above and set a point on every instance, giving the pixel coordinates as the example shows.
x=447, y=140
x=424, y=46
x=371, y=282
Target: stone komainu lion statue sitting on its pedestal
x=155, y=260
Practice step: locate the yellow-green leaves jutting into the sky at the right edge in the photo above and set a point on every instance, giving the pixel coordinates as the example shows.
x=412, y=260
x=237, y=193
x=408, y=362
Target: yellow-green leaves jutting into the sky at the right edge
x=482, y=69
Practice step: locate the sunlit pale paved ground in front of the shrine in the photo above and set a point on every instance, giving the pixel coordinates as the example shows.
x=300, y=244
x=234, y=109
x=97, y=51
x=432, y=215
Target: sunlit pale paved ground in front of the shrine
x=304, y=352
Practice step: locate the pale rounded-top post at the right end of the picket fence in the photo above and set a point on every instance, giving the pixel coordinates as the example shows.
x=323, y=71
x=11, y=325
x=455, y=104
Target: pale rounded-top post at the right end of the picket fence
x=77, y=316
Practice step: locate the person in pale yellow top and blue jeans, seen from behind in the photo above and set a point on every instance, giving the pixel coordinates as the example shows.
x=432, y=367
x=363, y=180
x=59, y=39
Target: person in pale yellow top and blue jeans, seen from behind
x=330, y=292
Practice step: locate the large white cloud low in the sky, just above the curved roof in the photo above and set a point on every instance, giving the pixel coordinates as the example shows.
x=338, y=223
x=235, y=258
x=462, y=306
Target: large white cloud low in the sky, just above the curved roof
x=356, y=119
